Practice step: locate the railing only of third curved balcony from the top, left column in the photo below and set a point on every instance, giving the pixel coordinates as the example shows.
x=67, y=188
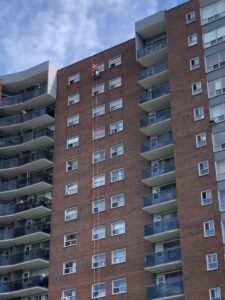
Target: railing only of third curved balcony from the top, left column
x=28, y=136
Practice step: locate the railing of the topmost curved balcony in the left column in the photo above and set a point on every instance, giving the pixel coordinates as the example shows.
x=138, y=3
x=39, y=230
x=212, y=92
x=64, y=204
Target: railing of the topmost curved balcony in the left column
x=25, y=96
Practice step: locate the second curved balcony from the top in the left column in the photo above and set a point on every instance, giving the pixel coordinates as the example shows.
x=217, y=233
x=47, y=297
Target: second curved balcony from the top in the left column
x=27, y=120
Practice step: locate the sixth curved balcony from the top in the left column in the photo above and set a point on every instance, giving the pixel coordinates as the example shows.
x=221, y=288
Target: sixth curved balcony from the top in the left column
x=24, y=209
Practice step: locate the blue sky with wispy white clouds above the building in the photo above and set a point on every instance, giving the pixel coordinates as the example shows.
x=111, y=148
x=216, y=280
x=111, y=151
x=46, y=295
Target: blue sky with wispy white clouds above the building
x=66, y=31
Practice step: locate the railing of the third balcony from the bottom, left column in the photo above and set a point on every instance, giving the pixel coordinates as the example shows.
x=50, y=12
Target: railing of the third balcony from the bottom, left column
x=24, y=230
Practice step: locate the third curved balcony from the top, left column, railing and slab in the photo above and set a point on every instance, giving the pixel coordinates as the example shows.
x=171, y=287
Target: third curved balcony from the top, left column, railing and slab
x=32, y=140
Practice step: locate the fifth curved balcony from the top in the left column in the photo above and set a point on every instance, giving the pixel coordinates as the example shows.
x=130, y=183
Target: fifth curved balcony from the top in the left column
x=34, y=183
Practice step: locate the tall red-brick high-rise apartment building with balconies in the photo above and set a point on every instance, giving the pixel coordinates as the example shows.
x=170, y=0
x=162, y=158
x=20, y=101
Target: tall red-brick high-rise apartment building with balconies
x=138, y=191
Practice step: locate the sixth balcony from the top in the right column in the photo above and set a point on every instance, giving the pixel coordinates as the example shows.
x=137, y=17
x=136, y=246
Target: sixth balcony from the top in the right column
x=161, y=174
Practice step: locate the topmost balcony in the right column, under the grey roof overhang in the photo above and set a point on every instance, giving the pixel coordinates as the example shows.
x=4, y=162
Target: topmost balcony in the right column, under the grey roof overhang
x=154, y=52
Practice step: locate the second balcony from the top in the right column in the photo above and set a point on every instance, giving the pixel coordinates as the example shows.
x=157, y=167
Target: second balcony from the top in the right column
x=156, y=74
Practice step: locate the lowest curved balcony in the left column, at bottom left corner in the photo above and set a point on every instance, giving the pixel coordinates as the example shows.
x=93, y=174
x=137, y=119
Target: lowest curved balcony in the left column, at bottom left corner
x=23, y=287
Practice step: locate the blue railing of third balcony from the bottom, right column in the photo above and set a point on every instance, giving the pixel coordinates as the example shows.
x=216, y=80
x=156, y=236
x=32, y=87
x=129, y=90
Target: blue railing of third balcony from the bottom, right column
x=161, y=226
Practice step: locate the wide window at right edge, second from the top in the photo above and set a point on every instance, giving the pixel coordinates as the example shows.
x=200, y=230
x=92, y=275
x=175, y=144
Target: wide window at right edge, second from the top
x=214, y=37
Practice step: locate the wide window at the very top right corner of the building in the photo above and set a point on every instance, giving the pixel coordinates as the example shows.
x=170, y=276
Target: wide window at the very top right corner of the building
x=213, y=12
